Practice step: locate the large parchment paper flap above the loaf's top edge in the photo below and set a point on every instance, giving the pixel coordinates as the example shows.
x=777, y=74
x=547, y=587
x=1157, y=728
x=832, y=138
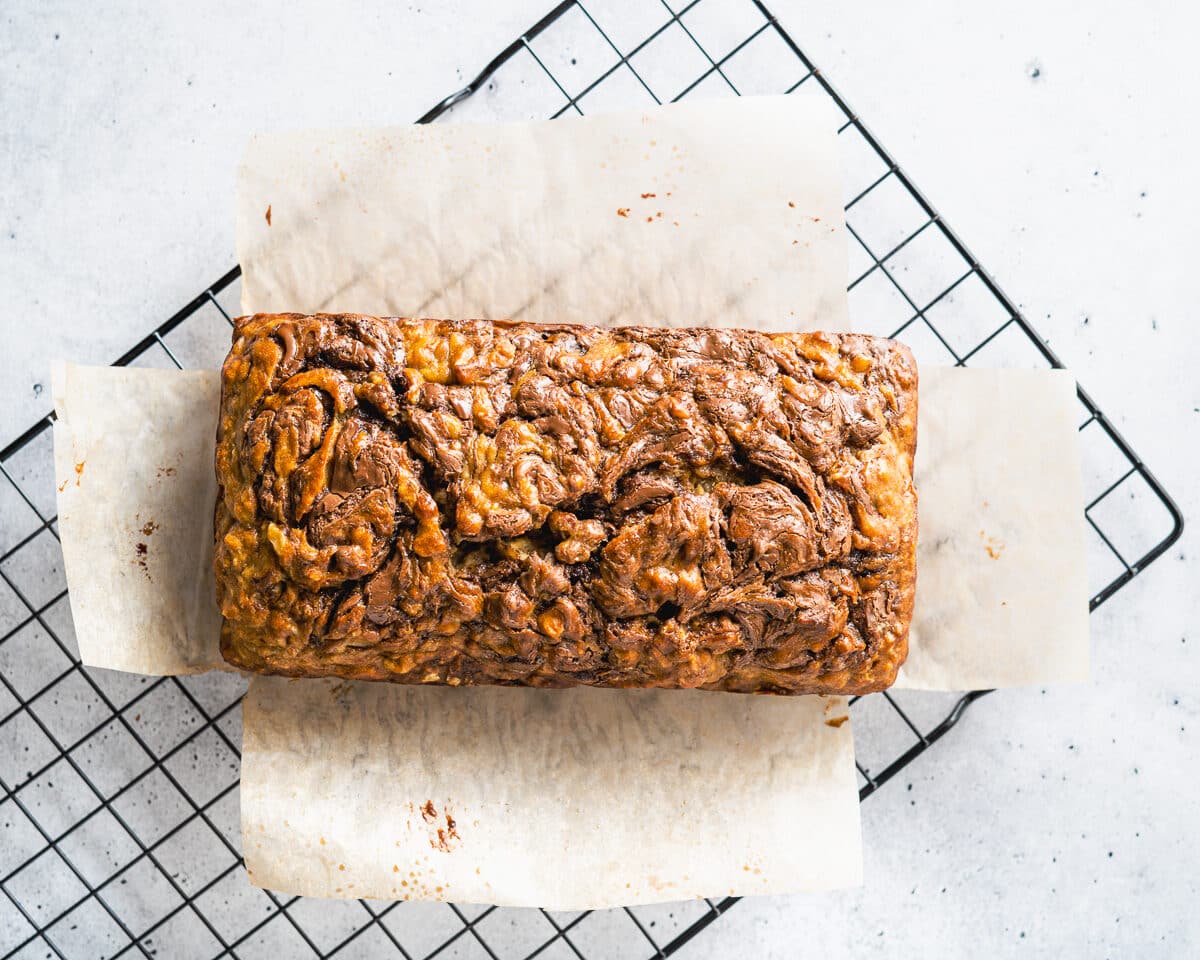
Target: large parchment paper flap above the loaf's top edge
x=723, y=213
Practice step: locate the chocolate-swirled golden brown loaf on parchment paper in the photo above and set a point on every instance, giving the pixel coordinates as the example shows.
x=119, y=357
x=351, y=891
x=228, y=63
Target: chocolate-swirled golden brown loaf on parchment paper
x=508, y=503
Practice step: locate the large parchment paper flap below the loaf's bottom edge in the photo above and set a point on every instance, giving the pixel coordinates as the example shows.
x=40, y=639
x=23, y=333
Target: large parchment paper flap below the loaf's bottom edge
x=563, y=799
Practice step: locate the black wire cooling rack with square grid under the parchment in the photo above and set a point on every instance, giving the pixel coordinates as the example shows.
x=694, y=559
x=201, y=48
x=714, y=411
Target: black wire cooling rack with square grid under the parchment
x=119, y=823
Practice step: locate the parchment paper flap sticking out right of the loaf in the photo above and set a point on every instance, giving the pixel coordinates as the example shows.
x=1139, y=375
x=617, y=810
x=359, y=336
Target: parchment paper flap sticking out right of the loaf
x=1001, y=579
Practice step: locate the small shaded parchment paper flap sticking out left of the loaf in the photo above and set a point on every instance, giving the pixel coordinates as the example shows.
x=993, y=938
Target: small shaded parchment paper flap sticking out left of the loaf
x=134, y=467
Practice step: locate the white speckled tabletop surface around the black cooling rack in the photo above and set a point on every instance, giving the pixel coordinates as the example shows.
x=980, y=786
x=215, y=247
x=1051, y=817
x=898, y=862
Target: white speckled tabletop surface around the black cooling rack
x=1059, y=146
